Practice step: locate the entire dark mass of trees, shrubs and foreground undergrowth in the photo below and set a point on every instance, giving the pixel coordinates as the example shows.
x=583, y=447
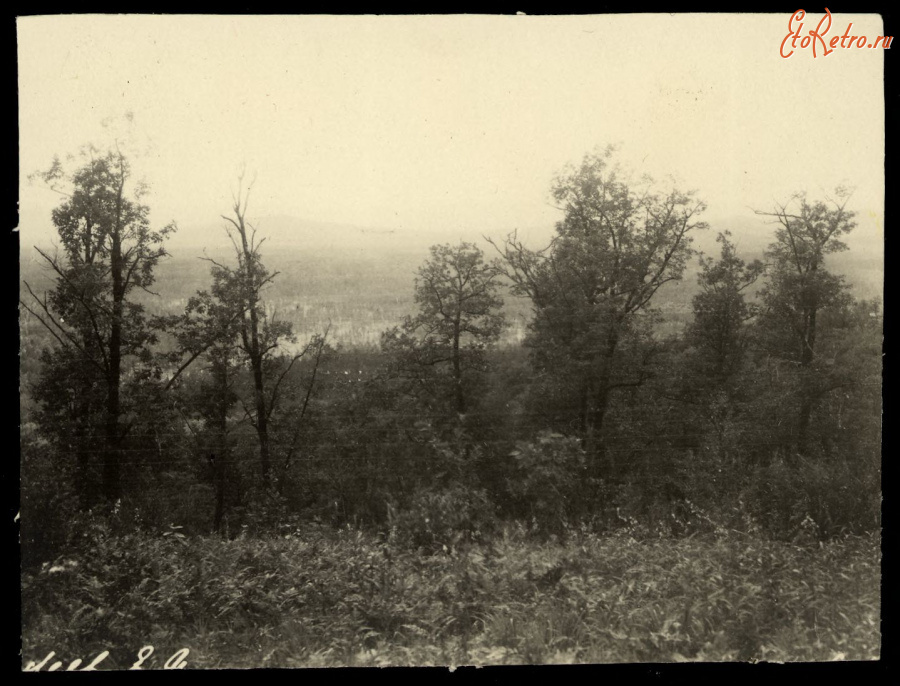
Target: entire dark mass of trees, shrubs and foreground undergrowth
x=531, y=464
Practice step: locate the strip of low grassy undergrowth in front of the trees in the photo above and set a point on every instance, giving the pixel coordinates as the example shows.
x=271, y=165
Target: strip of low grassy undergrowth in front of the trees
x=348, y=598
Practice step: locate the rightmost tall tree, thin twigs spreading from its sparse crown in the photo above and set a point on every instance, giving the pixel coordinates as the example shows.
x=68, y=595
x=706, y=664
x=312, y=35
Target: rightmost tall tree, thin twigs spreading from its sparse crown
x=800, y=289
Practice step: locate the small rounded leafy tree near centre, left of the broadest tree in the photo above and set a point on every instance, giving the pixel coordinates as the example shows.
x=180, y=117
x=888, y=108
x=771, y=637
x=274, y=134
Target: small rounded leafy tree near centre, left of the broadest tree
x=441, y=350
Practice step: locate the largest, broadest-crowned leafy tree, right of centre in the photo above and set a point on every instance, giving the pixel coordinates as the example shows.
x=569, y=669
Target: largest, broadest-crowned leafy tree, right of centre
x=592, y=287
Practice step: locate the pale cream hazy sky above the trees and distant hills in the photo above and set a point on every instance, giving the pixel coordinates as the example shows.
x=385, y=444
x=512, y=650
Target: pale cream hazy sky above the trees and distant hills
x=452, y=124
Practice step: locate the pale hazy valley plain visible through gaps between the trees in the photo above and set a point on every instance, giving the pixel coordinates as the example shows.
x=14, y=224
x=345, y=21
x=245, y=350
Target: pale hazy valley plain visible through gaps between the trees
x=362, y=292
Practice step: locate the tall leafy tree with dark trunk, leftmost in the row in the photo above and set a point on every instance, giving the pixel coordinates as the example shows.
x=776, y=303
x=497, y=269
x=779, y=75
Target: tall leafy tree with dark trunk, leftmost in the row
x=108, y=249
